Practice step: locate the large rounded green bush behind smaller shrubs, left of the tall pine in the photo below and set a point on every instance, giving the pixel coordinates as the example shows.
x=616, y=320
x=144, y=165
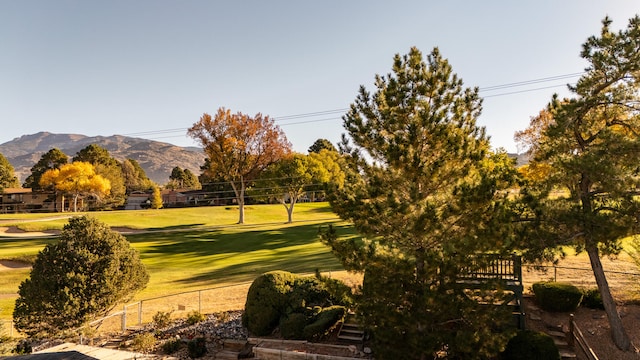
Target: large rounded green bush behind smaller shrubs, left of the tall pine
x=278, y=294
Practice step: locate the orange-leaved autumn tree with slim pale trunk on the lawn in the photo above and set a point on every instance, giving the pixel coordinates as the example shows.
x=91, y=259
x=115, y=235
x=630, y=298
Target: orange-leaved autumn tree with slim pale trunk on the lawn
x=239, y=147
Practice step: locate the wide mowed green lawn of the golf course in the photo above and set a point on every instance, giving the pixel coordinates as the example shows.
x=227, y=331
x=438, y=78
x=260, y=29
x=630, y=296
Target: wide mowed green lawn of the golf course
x=196, y=248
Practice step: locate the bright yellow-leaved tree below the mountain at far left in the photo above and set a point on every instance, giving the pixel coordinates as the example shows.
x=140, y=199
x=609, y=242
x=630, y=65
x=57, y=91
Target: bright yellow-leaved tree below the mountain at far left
x=78, y=178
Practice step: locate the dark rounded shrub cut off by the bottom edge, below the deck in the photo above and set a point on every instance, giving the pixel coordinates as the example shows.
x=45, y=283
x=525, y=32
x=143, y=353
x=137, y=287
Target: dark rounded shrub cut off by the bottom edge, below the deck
x=531, y=345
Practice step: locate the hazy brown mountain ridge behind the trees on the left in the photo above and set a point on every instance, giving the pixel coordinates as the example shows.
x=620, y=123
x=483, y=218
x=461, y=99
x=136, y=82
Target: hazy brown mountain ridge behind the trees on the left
x=156, y=158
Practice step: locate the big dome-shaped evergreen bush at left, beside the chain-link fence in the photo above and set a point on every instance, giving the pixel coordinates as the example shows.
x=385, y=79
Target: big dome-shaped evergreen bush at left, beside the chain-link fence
x=78, y=278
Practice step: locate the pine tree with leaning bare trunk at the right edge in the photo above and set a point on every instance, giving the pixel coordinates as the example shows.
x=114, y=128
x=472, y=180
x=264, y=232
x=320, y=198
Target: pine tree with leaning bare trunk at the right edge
x=588, y=146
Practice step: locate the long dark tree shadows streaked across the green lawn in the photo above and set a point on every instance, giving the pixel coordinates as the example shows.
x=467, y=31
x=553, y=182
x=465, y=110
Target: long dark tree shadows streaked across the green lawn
x=237, y=256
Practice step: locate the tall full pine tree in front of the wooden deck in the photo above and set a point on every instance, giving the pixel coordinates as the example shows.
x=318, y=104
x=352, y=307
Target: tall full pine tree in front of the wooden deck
x=427, y=195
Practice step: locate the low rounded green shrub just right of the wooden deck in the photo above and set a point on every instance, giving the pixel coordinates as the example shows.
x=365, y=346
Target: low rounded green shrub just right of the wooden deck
x=557, y=296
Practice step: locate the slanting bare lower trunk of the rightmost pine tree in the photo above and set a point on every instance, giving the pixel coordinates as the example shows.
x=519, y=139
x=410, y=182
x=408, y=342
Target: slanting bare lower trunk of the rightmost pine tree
x=620, y=337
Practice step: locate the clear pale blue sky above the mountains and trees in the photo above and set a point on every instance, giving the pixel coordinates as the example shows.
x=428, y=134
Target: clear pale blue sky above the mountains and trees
x=151, y=68
